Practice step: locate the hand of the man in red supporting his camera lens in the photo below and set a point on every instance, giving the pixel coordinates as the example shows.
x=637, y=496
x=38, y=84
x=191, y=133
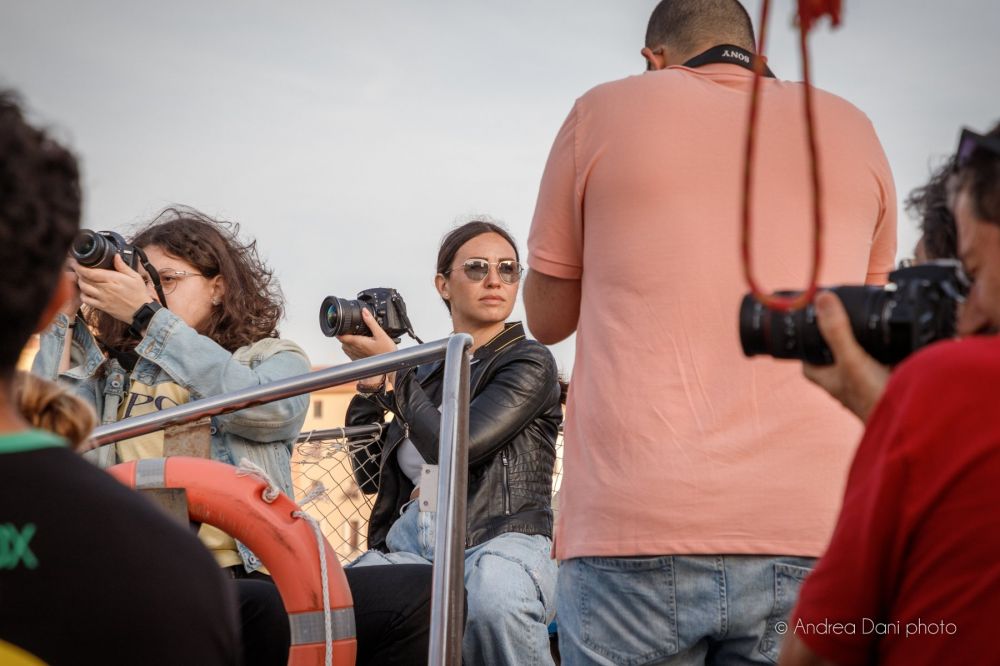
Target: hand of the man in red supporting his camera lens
x=855, y=379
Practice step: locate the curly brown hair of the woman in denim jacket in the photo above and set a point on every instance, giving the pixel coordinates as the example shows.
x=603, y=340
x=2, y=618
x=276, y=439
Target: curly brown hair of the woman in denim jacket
x=252, y=302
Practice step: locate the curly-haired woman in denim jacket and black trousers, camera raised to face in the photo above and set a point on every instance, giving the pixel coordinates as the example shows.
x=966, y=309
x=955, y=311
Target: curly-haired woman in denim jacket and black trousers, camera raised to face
x=131, y=353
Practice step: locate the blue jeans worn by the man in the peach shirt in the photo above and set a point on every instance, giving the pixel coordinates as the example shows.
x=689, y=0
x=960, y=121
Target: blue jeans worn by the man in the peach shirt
x=681, y=609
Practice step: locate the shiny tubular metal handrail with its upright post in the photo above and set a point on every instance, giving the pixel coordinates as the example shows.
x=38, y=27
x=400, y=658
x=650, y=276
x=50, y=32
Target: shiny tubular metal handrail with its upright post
x=448, y=572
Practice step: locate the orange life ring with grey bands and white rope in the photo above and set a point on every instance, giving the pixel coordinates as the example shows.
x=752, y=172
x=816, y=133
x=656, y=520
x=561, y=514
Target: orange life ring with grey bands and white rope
x=285, y=544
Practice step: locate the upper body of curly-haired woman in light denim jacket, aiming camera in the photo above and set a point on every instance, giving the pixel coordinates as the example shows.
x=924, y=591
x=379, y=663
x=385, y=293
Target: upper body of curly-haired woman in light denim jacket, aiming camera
x=217, y=333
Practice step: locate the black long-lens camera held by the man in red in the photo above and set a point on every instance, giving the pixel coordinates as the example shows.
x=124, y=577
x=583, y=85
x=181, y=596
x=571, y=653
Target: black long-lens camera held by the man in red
x=917, y=307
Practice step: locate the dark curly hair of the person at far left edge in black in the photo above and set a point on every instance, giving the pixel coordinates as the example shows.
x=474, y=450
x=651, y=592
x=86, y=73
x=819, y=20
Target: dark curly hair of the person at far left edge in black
x=40, y=204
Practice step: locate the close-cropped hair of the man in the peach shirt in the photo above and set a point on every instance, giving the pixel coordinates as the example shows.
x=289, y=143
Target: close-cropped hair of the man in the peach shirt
x=685, y=25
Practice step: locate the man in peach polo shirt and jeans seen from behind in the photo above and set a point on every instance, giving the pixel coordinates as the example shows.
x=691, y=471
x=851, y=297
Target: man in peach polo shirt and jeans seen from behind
x=699, y=485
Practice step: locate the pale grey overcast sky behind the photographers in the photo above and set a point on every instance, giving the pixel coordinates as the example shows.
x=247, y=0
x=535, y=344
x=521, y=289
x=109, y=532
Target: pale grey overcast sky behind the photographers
x=347, y=137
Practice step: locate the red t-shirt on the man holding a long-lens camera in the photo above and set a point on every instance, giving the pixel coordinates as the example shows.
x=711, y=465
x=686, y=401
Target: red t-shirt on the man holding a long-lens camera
x=912, y=575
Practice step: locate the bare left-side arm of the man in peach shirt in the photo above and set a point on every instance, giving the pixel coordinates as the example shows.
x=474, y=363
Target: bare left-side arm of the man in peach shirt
x=552, y=305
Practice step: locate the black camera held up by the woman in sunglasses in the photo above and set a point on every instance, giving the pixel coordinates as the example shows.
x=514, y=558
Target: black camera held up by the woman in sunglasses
x=339, y=316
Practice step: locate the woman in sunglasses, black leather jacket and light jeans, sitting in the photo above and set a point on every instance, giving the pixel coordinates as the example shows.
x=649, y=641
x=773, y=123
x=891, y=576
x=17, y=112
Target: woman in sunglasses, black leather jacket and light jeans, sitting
x=514, y=419
